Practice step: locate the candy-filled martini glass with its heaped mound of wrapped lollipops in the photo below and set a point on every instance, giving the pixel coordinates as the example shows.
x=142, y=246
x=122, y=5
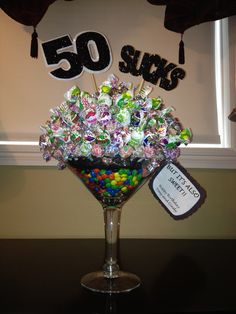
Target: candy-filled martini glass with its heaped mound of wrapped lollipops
x=113, y=140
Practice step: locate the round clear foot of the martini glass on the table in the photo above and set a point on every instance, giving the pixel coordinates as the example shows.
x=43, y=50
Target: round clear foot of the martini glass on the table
x=96, y=282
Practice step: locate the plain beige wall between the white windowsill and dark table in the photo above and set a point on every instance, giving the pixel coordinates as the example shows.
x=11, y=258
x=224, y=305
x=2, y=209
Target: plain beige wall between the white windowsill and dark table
x=43, y=202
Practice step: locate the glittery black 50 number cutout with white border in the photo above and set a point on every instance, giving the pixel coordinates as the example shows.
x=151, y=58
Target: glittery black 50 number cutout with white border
x=90, y=52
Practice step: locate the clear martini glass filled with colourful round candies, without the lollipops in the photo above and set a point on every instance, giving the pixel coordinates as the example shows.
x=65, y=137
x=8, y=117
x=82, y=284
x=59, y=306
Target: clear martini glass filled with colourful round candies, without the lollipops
x=112, y=186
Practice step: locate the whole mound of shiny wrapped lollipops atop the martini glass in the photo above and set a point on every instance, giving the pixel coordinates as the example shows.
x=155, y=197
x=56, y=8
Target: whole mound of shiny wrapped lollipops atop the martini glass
x=114, y=125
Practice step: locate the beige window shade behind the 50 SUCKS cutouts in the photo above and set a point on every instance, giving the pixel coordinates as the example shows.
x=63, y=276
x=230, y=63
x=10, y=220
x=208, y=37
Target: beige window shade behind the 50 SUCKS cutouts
x=33, y=91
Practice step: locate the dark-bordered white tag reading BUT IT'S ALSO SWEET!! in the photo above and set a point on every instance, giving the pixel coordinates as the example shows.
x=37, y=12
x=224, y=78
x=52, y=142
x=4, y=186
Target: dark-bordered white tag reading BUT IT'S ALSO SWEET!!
x=176, y=190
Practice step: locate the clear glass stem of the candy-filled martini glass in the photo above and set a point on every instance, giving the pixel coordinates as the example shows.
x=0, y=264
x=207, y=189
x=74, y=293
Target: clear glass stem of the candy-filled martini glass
x=112, y=215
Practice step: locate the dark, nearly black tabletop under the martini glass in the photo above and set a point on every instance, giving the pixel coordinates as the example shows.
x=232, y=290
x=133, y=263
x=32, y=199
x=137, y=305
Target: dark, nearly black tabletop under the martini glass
x=178, y=276
